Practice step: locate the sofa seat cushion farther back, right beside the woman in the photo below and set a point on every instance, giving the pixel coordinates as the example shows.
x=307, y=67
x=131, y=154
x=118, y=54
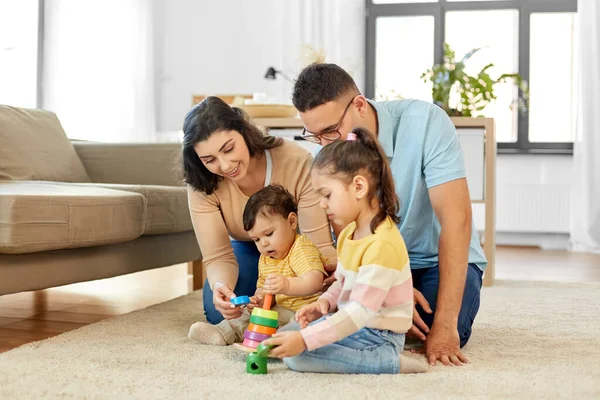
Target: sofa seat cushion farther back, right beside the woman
x=167, y=207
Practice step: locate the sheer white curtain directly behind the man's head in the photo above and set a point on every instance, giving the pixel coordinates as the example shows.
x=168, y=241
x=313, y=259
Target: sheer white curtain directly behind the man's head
x=333, y=29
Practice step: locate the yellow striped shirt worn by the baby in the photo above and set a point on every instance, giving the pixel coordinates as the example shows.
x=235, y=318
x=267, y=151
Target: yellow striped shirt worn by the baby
x=303, y=257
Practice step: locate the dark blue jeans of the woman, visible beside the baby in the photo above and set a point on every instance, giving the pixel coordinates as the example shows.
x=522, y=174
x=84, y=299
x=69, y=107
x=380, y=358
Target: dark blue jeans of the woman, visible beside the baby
x=247, y=256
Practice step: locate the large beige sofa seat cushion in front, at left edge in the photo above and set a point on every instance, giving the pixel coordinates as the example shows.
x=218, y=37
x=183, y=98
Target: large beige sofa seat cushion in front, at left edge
x=38, y=216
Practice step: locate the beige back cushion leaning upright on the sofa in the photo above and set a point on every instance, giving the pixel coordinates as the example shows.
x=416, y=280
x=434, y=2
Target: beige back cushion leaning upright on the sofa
x=33, y=146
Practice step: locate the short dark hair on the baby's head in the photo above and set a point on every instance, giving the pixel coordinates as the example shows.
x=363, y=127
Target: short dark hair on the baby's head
x=270, y=200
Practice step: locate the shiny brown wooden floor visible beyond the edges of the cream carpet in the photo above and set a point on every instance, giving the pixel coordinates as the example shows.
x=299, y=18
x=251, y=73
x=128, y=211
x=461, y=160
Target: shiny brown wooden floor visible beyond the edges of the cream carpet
x=30, y=316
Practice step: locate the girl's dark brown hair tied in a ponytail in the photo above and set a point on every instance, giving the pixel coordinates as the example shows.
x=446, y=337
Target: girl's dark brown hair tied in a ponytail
x=363, y=155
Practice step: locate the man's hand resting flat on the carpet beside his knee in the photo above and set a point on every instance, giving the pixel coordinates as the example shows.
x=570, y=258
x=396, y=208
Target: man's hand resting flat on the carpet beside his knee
x=443, y=344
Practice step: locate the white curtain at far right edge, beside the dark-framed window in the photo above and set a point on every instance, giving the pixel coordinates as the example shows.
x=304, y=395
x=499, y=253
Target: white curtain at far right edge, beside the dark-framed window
x=585, y=221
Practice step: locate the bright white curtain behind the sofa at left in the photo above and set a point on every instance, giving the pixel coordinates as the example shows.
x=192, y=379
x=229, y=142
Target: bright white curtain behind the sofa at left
x=98, y=68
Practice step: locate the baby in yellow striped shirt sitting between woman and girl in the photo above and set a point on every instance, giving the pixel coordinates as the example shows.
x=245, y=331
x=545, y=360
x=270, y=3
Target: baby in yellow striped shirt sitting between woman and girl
x=290, y=265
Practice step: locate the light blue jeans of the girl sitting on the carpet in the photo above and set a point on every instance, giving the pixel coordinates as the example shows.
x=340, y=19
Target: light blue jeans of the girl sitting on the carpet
x=368, y=351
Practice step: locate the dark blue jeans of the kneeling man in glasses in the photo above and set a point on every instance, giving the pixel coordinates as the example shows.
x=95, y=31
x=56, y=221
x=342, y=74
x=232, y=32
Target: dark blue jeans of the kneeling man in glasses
x=427, y=281
